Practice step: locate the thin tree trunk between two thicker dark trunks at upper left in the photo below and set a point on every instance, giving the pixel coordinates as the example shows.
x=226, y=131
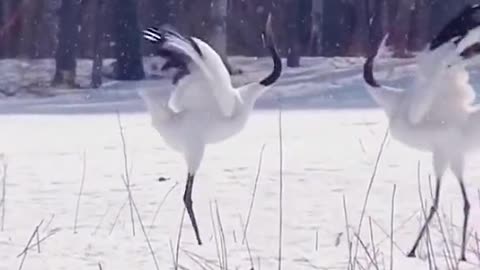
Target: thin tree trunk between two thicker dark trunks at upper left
x=97, y=45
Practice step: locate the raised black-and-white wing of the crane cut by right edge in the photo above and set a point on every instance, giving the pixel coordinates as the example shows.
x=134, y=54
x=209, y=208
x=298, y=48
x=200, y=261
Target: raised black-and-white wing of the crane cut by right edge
x=441, y=71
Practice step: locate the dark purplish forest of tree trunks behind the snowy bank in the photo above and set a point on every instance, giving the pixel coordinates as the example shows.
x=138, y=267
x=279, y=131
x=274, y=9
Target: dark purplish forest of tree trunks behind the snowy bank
x=99, y=29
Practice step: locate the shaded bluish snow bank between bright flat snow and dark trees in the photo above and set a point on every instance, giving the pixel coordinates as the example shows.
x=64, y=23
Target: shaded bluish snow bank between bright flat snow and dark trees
x=320, y=82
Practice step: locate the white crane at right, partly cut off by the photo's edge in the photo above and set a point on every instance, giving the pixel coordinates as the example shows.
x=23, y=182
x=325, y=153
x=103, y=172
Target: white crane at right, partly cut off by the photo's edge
x=437, y=114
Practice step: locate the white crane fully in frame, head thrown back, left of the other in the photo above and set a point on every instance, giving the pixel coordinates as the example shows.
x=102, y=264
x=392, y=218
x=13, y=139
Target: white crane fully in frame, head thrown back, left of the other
x=204, y=107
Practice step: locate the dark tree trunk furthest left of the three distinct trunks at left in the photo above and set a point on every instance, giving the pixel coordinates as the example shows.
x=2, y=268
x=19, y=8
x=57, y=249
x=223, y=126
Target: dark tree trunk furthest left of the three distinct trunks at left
x=67, y=44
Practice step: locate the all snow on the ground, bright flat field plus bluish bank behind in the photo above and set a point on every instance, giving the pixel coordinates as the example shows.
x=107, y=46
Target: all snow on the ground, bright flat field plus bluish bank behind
x=332, y=135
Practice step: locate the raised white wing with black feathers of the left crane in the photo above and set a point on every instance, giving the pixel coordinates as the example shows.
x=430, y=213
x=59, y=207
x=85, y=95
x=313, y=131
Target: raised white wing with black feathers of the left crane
x=201, y=78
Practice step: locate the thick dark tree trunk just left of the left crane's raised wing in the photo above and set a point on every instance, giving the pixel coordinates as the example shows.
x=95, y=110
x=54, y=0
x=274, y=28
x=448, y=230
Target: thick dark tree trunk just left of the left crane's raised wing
x=127, y=36
